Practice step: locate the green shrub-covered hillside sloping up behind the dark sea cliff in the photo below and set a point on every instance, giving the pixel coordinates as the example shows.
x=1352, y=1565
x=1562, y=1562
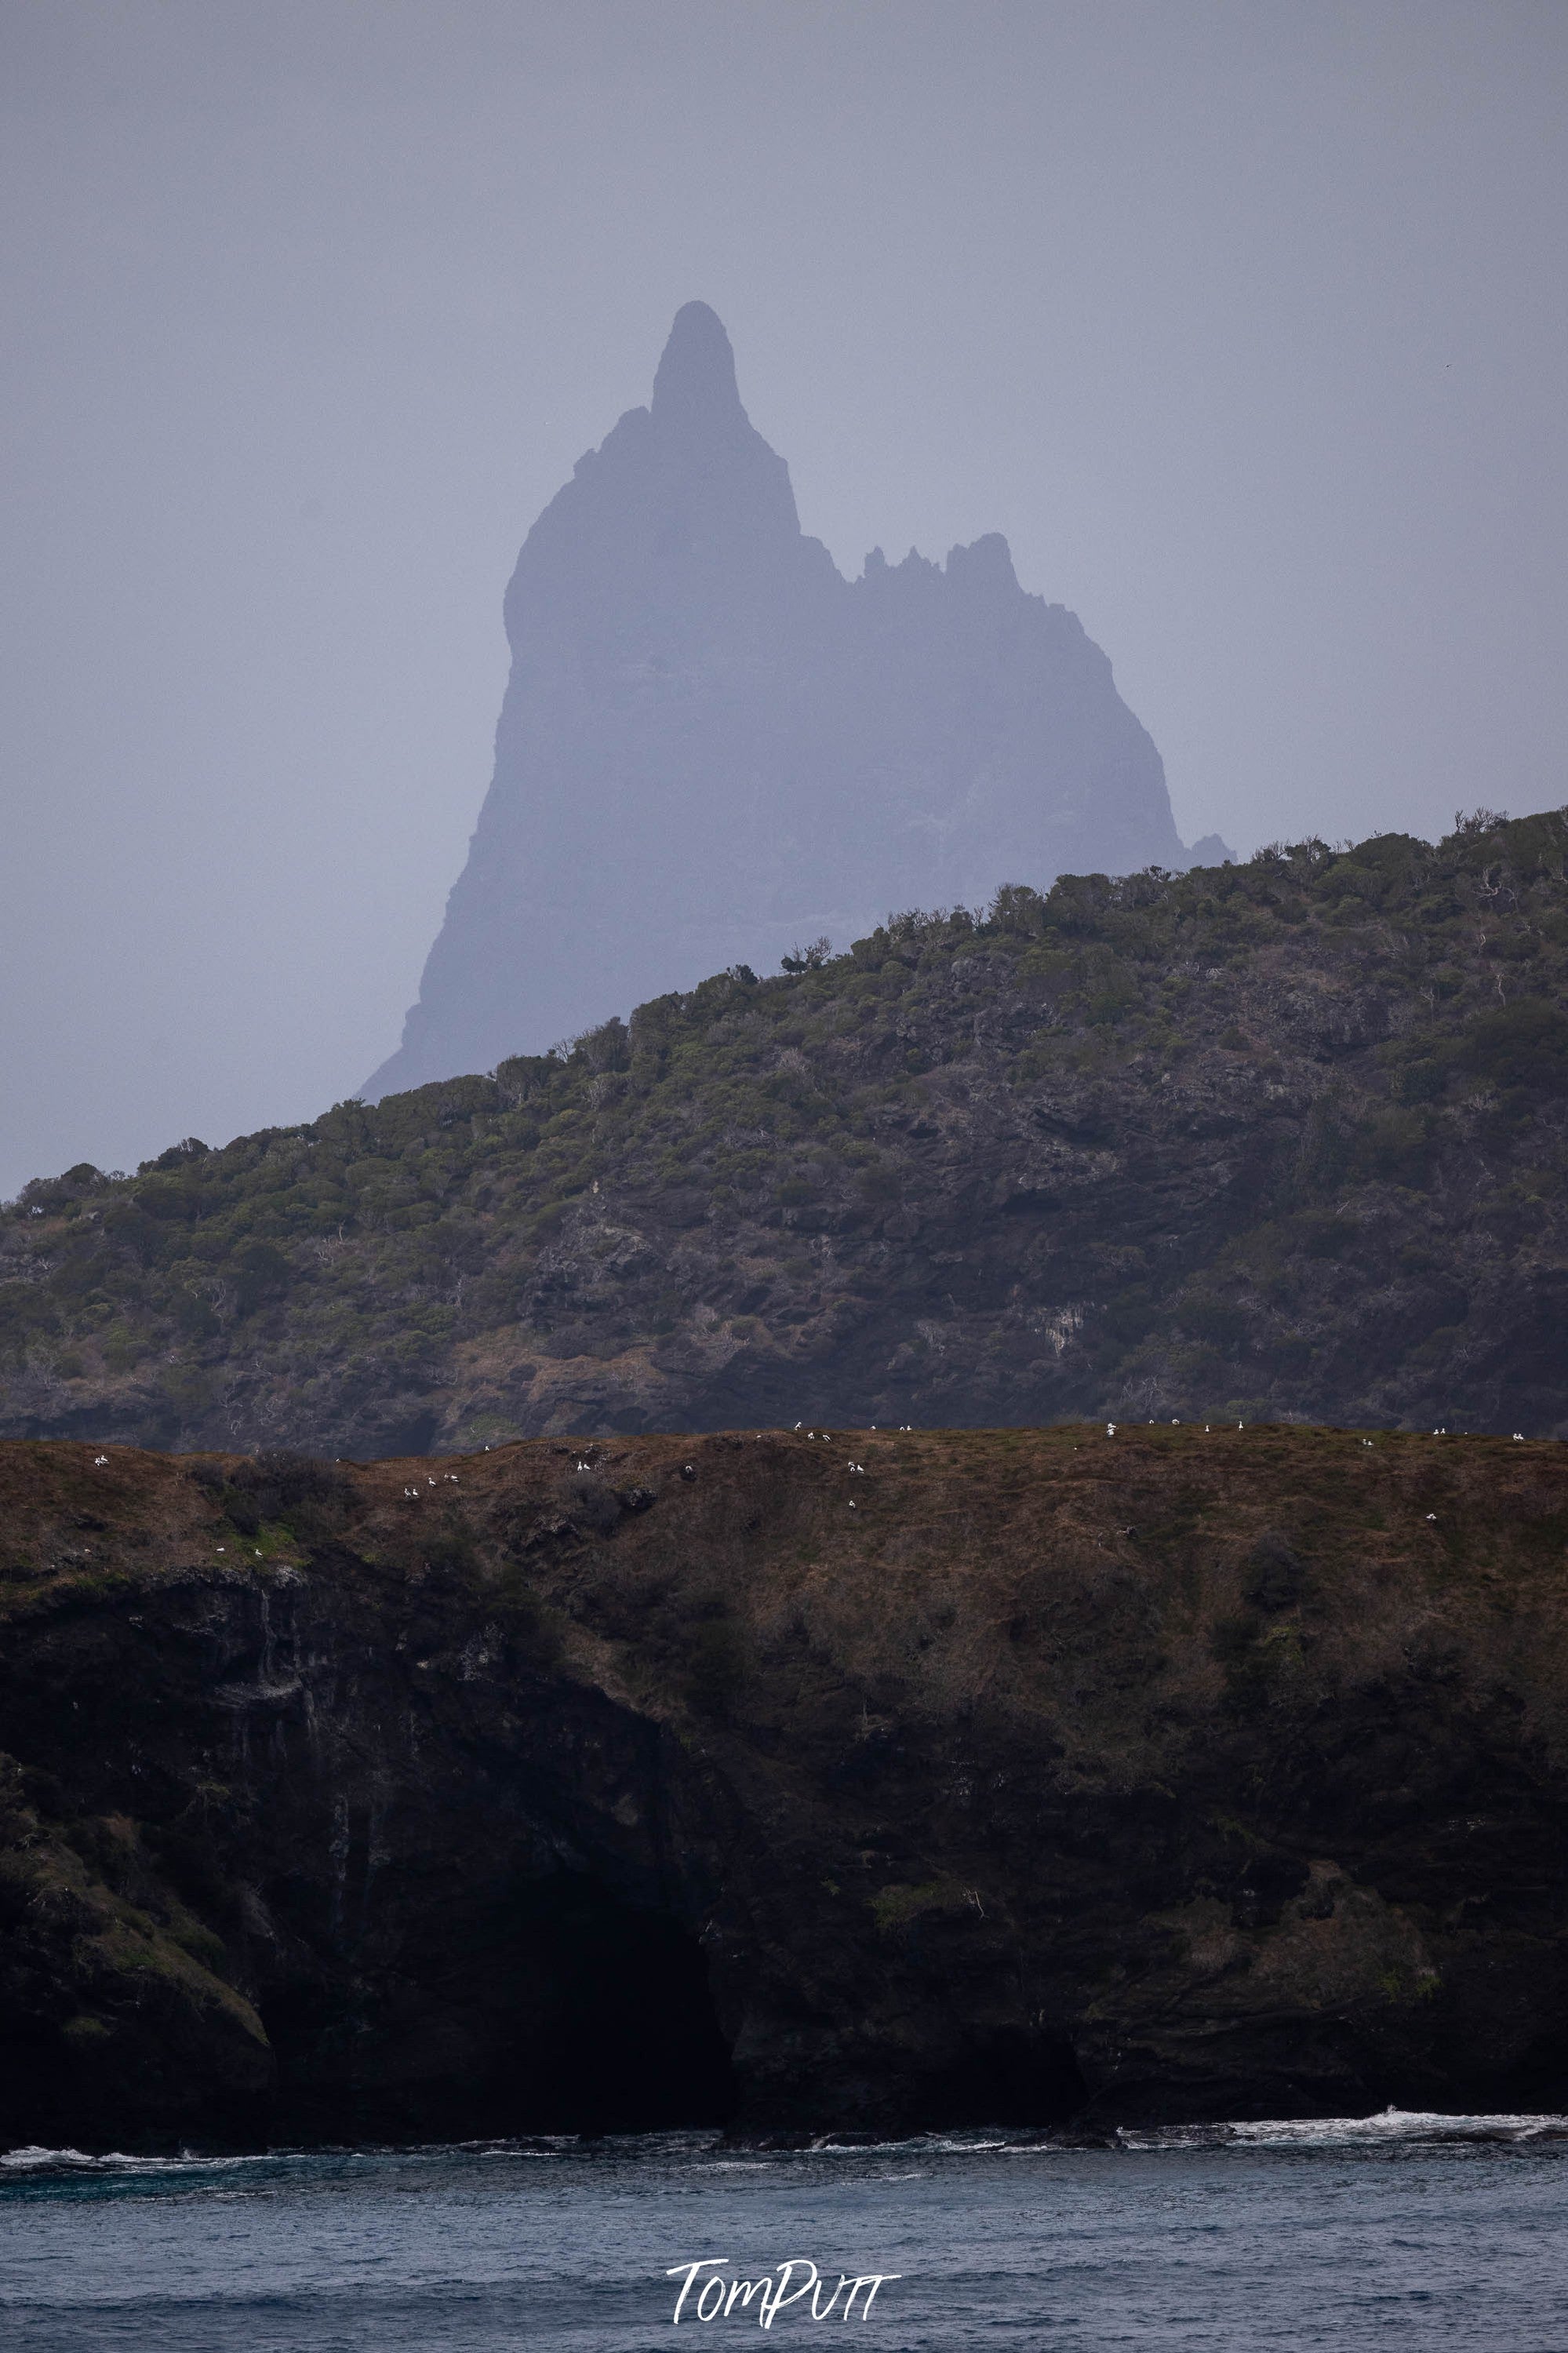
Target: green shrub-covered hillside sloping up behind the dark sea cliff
x=1275, y=1140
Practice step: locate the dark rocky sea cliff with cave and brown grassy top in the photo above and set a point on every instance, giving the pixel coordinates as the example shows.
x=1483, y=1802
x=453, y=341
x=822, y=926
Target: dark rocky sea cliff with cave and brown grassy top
x=812, y=1782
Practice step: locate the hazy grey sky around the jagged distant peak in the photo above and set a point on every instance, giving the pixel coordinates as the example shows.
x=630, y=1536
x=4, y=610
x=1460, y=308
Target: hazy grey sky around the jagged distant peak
x=1245, y=324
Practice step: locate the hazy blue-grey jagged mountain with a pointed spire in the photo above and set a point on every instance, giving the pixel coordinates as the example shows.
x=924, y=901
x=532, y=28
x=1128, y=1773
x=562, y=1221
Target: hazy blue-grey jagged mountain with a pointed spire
x=716, y=749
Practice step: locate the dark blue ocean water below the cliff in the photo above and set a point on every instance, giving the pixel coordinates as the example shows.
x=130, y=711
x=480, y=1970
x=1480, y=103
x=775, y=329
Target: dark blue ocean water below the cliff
x=1395, y=2232
